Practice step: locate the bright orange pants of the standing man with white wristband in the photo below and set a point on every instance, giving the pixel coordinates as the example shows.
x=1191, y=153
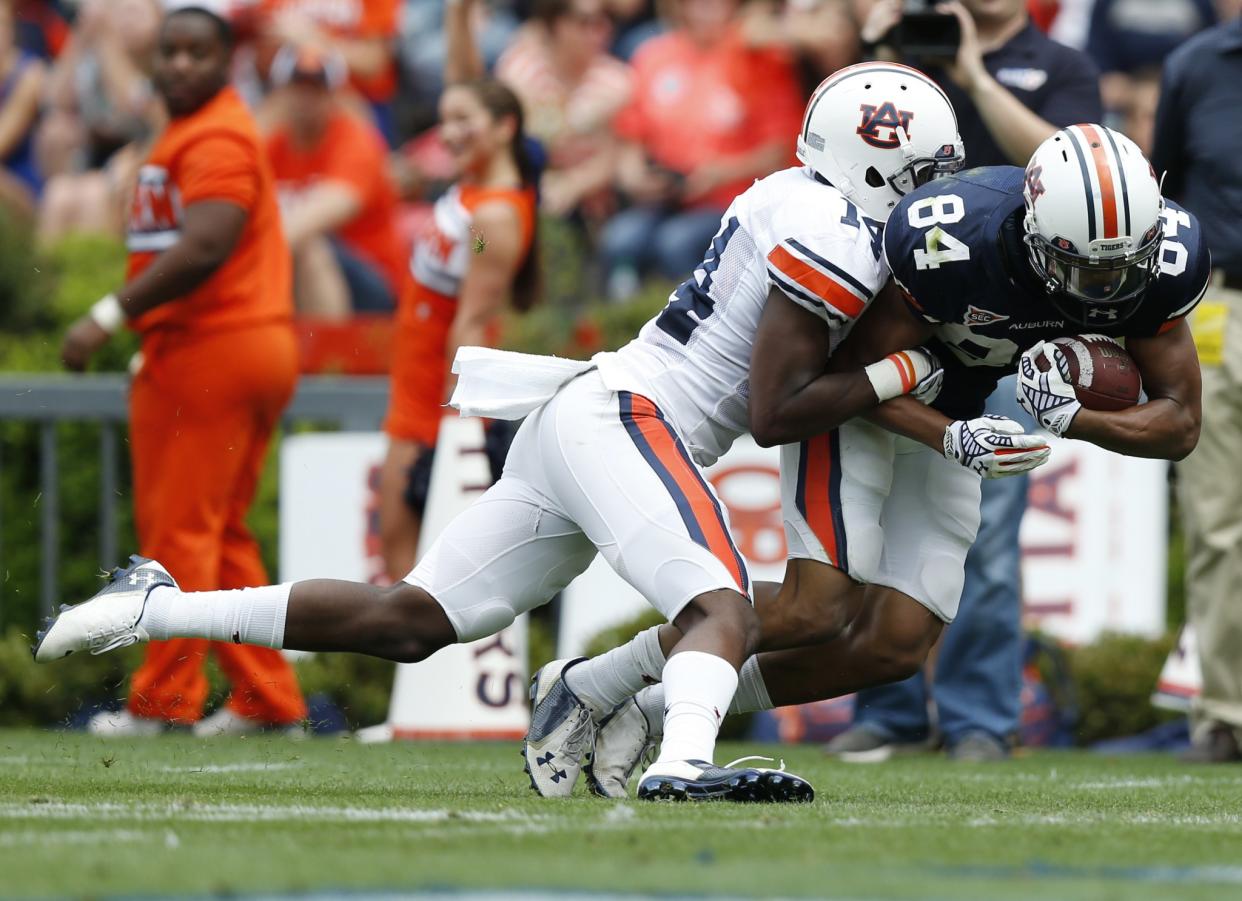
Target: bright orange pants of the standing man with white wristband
x=203, y=411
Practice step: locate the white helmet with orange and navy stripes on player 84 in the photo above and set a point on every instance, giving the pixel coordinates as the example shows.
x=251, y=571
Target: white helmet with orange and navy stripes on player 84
x=1092, y=223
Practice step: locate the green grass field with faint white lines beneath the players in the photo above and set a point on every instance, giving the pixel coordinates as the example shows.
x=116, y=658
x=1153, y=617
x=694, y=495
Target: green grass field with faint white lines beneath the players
x=86, y=818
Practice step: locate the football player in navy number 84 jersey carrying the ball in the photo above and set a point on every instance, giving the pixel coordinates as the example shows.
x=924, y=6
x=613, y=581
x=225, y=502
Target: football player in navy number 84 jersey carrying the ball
x=992, y=264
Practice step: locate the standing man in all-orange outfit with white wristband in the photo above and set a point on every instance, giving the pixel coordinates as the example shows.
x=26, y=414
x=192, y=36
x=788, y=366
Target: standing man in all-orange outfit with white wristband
x=208, y=290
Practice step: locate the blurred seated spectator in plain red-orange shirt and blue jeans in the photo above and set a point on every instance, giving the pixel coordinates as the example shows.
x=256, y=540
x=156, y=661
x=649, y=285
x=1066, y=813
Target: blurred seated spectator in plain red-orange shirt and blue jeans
x=709, y=116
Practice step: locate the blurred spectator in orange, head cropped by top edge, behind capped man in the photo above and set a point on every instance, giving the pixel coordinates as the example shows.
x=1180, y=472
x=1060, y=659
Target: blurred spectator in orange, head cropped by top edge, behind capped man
x=362, y=32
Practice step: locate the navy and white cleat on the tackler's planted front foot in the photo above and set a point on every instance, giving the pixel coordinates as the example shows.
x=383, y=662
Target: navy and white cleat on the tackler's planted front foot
x=704, y=781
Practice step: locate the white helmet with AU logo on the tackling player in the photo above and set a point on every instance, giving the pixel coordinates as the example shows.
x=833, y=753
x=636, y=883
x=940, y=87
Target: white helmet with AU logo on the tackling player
x=877, y=131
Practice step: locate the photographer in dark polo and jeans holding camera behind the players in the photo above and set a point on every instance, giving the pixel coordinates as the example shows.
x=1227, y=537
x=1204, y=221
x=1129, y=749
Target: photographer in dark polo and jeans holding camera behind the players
x=1012, y=88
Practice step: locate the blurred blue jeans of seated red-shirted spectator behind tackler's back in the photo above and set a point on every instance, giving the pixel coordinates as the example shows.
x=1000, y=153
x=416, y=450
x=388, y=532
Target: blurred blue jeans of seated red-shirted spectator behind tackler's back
x=669, y=242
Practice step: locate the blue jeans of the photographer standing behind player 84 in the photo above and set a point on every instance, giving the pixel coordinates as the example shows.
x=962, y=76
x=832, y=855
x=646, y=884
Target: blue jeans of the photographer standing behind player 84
x=978, y=679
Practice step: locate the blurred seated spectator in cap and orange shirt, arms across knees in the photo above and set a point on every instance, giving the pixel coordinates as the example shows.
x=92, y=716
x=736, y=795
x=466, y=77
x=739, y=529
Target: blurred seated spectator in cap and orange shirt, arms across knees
x=337, y=202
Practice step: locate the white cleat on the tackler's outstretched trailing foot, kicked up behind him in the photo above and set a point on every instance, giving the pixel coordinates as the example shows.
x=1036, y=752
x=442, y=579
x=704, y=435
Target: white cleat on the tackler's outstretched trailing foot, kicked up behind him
x=110, y=620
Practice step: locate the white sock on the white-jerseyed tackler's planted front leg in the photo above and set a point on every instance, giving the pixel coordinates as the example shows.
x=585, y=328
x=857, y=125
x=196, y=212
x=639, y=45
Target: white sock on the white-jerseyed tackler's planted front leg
x=697, y=692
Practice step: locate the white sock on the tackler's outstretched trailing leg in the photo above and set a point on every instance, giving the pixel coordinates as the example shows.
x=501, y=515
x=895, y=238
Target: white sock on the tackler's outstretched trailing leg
x=245, y=616
